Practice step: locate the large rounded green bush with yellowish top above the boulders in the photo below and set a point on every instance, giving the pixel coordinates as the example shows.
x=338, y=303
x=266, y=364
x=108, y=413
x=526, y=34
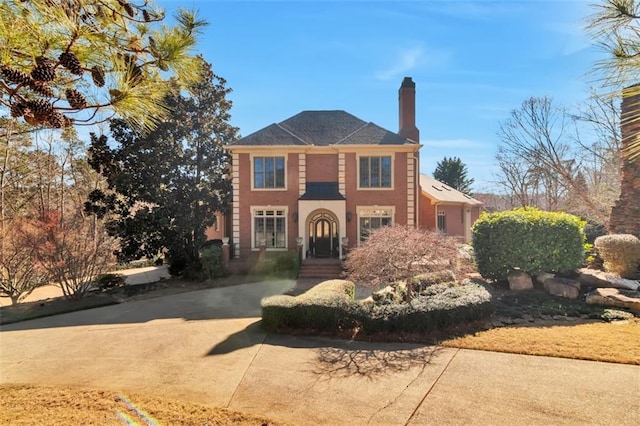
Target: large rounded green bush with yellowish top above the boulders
x=528, y=240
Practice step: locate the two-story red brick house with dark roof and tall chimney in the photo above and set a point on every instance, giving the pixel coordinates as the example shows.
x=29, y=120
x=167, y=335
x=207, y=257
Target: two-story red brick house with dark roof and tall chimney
x=323, y=179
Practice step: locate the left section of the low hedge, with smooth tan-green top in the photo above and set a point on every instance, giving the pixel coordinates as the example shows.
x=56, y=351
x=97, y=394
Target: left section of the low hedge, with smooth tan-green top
x=325, y=307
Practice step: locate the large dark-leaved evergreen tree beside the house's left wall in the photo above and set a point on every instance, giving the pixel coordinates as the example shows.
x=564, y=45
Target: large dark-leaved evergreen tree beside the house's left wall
x=166, y=185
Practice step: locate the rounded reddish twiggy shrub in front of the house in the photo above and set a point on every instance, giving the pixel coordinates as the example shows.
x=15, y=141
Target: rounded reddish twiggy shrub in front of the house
x=397, y=253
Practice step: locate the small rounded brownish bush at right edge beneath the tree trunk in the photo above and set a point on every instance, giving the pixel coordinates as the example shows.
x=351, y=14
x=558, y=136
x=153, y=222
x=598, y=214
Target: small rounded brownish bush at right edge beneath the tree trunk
x=620, y=252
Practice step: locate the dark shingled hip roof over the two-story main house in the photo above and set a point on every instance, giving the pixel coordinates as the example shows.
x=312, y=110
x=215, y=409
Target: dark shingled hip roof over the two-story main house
x=323, y=128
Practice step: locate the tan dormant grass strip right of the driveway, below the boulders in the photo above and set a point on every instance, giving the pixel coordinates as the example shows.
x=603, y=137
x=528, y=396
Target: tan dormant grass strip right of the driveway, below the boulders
x=611, y=342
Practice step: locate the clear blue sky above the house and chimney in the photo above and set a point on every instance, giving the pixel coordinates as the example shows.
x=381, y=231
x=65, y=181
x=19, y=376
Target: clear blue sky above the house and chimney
x=472, y=61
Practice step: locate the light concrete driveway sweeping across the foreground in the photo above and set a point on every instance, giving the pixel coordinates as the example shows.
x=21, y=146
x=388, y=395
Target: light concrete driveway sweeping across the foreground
x=207, y=346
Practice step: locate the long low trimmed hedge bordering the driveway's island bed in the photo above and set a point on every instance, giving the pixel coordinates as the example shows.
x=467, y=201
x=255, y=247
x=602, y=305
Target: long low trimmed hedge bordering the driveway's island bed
x=330, y=307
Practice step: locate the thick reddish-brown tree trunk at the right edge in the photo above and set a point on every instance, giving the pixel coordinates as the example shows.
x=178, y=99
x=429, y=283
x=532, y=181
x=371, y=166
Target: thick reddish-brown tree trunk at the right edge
x=625, y=214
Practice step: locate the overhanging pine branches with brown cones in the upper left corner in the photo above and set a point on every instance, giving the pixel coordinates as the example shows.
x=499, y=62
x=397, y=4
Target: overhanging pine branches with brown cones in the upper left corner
x=71, y=62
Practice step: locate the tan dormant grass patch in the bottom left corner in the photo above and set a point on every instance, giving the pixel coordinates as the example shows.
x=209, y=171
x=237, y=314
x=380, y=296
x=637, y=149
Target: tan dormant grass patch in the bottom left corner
x=49, y=405
